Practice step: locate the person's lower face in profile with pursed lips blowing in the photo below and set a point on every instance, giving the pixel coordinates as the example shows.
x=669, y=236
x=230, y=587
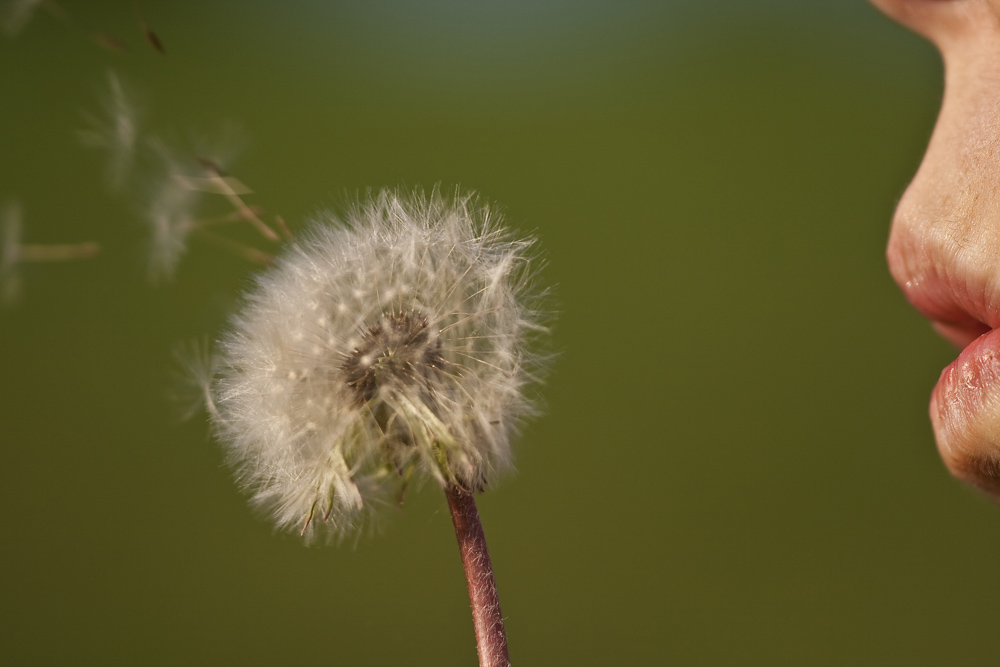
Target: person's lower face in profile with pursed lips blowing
x=944, y=249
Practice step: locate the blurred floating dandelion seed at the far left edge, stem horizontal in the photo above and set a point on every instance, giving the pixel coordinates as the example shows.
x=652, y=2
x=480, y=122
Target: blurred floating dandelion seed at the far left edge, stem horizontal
x=14, y=253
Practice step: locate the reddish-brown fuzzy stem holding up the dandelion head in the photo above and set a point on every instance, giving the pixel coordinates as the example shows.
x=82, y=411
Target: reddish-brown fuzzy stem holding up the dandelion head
x=491, y=640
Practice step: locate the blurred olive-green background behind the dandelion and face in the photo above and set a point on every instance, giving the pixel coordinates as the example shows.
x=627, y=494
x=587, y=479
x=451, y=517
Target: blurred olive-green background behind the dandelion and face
x=735, y=466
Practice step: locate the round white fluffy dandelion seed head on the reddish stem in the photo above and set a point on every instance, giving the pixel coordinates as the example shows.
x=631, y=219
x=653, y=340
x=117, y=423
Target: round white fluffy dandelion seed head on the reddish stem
x=397, y=343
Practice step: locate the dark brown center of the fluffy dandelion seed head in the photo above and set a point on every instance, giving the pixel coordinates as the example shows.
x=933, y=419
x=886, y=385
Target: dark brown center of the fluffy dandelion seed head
x=398, y=349
